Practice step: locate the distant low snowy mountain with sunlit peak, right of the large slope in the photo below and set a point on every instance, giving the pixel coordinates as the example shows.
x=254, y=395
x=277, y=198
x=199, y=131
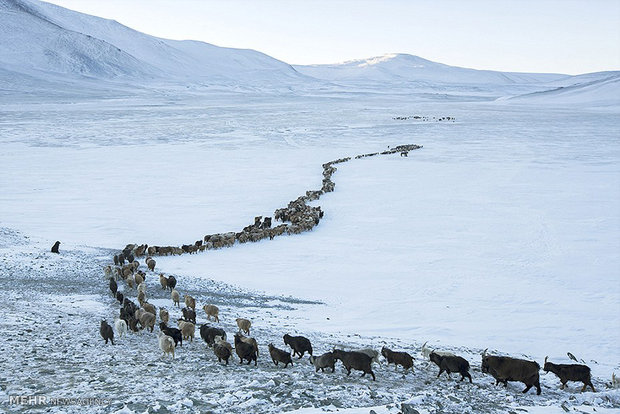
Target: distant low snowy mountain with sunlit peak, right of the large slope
x=403, y=68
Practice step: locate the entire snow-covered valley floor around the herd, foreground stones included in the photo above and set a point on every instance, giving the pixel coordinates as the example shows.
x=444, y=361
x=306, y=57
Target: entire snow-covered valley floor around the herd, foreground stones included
x=501, y=233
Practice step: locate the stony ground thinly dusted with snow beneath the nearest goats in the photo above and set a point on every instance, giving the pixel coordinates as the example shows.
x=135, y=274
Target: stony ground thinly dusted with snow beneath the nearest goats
x=50, y=346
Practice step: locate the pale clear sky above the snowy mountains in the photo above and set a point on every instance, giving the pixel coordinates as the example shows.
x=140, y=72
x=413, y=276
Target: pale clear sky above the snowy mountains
x=562, y=36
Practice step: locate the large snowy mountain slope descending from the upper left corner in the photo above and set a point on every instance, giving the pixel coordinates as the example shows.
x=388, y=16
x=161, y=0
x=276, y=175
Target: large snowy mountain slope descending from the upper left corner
x=37, y=38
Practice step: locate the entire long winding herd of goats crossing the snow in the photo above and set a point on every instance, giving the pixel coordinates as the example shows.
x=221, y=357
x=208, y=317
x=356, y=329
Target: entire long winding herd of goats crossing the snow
x=300, y=217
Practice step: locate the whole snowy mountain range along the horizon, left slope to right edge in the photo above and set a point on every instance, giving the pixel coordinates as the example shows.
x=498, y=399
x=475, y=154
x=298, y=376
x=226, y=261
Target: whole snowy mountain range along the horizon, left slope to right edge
x=46, y=48
